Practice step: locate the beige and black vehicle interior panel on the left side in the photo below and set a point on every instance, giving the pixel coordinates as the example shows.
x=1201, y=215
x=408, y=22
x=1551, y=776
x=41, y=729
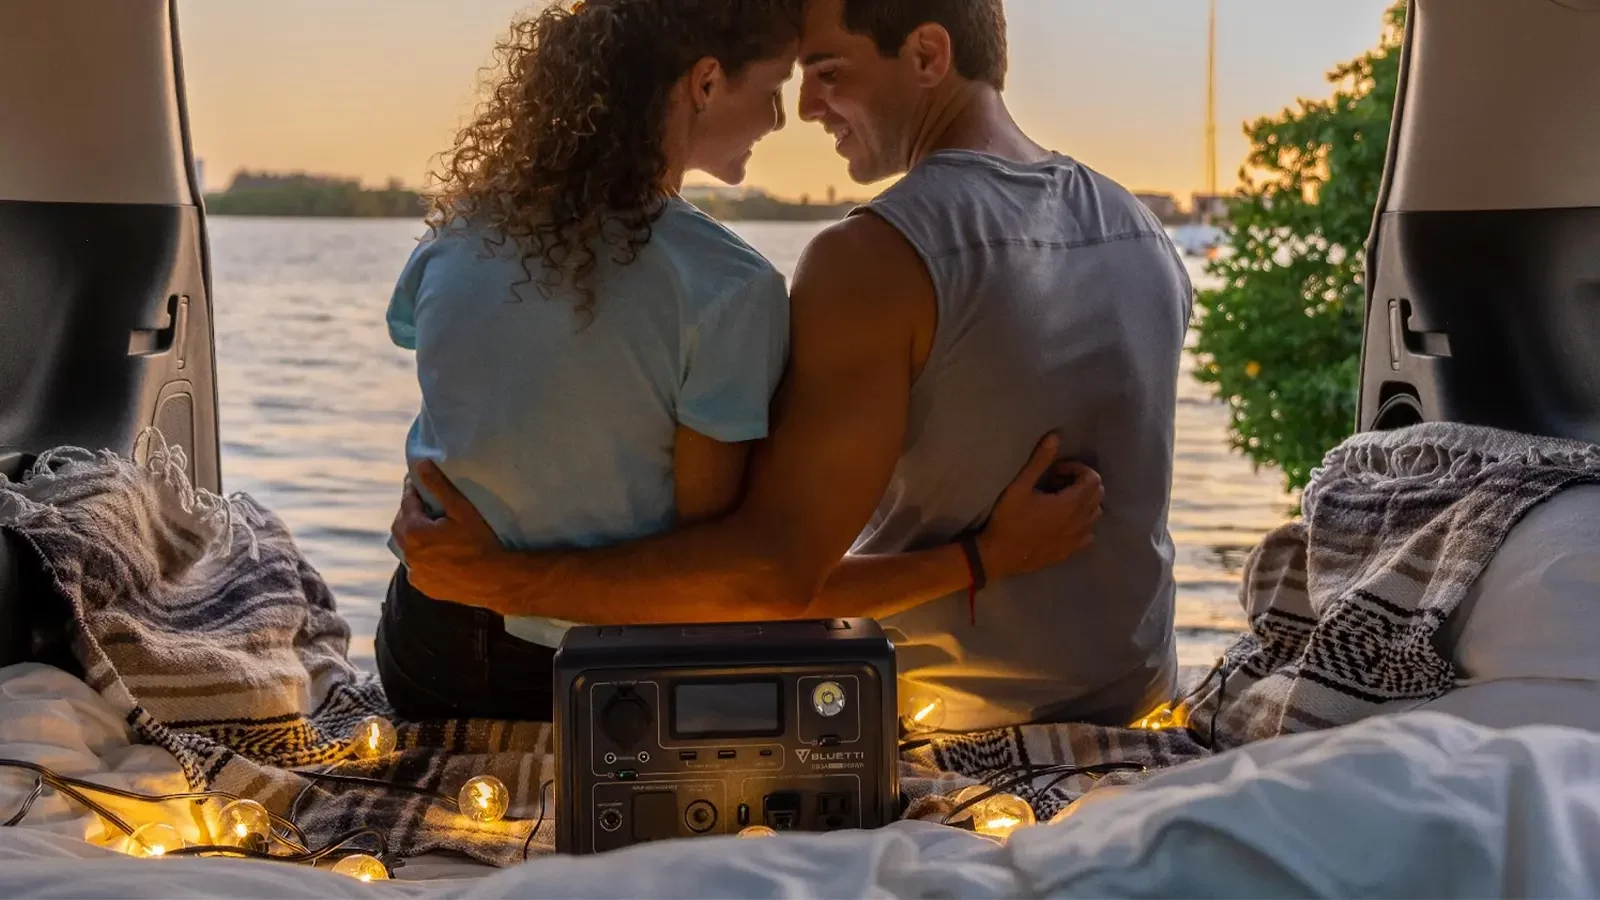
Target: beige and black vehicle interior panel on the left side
x=105, y=284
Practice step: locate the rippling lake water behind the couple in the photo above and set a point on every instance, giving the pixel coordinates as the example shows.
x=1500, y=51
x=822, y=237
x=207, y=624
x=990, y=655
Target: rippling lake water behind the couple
x=316, y=404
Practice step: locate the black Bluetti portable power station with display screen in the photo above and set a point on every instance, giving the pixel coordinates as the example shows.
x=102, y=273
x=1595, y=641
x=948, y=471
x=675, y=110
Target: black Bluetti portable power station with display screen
x=679, y=731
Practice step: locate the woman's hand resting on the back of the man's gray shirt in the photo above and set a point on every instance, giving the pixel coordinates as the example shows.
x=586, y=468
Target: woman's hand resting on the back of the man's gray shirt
x=1034, y=529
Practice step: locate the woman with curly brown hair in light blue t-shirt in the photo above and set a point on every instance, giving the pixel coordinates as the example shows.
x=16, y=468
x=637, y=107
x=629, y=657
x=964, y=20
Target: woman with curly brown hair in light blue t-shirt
x=596, y=356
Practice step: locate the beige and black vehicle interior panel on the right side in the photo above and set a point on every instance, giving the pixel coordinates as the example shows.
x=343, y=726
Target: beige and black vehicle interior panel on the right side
x=1484, y=289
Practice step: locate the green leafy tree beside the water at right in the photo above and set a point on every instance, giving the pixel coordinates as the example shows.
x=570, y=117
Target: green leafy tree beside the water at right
x=1281, y=339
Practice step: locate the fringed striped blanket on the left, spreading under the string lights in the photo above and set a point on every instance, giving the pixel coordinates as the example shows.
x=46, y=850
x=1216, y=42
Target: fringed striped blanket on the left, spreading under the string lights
x=199, y=619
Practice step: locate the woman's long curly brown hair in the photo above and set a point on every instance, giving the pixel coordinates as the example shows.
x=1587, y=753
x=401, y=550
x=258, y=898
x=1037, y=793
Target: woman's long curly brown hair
x=567, y=150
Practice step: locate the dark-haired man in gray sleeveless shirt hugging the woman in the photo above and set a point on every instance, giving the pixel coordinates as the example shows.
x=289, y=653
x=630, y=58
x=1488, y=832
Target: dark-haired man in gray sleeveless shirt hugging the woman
x=996, y=294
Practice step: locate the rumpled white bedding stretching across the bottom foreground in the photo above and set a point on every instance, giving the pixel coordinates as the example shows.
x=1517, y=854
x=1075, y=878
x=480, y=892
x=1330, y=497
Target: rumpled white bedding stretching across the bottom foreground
x=1410, y=806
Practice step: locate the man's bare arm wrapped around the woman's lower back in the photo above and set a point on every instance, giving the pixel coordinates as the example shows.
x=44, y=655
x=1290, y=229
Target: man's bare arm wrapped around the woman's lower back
x=814, y=484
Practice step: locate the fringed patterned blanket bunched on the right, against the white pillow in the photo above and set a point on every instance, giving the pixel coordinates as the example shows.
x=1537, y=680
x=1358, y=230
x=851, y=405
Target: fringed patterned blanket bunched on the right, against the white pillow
x=1346, y=605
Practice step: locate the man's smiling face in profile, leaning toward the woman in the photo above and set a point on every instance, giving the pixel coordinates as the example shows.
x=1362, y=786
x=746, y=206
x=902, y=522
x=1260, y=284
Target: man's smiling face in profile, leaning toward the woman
x=865, y=100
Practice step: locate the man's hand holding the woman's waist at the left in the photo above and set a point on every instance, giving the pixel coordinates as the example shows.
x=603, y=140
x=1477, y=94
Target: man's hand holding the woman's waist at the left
x=446, y=558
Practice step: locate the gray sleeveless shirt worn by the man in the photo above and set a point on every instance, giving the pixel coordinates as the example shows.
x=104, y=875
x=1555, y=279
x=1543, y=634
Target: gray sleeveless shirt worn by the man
x=1062, y=305
